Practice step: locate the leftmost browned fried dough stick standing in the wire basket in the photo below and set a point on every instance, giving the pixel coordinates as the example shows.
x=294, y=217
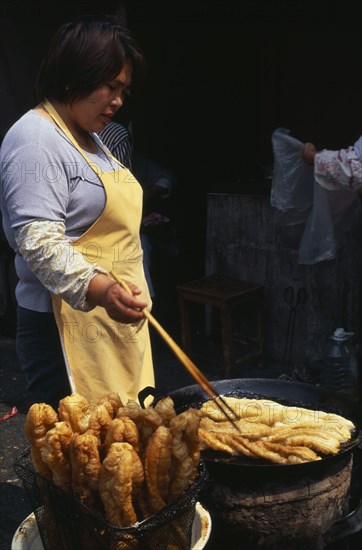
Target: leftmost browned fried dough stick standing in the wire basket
x=39, y=419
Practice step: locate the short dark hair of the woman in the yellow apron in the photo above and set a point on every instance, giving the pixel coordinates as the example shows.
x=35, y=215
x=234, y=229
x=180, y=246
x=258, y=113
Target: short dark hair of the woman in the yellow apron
x=85, y=54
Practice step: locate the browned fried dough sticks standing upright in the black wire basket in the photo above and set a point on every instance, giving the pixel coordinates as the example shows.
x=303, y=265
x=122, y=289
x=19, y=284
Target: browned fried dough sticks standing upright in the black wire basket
x=122, y=461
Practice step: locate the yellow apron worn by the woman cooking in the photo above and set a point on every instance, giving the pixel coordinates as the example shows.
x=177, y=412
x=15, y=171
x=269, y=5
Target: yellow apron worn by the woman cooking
x=103, y=355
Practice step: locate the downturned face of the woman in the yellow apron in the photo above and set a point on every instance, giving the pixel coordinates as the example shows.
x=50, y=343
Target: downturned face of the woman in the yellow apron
x=93, y=112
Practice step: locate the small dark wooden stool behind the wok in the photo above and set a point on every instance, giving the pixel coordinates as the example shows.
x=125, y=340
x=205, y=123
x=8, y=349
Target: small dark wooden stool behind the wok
x=229, y=296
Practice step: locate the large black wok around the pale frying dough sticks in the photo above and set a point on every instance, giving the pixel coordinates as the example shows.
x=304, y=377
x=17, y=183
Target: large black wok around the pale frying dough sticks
x=240, y=470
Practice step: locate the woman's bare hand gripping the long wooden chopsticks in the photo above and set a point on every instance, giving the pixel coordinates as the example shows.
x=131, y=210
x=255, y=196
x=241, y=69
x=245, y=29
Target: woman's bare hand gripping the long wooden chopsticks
x=118, y=303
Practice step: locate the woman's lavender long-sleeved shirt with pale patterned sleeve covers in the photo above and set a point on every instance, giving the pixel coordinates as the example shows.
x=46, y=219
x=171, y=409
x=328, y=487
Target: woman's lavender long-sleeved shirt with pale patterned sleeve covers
x=49, y=195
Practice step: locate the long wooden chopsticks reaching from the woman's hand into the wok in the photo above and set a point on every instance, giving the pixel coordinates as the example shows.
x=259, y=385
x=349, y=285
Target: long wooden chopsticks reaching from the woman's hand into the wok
x=186, y=361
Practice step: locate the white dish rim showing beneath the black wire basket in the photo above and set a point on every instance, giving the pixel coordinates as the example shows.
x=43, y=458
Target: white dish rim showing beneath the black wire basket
x=27, y=535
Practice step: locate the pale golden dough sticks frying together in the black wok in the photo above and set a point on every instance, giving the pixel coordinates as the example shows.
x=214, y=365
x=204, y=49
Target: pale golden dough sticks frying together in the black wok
x=272, y=431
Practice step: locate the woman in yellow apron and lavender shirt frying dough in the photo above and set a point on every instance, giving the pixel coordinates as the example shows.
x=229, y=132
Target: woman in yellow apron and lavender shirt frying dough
x=72, y=214
